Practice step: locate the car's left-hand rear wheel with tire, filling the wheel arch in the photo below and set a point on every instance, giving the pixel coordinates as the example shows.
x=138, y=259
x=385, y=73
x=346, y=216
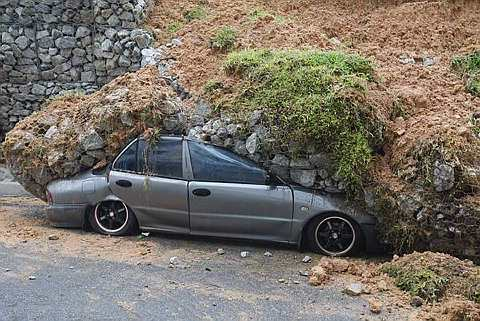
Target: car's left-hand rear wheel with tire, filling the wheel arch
x=113, y=218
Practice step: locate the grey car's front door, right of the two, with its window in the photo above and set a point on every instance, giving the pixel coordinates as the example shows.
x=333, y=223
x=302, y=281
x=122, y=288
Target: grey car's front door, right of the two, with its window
x=229, y=196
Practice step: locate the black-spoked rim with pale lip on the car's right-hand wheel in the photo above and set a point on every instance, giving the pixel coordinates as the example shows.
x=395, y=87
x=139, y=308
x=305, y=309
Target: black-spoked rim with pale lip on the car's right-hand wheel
x=335, y=235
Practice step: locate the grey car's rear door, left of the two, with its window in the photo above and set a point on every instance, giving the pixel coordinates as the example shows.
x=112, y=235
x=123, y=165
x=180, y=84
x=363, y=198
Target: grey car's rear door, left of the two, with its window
x=160, y=192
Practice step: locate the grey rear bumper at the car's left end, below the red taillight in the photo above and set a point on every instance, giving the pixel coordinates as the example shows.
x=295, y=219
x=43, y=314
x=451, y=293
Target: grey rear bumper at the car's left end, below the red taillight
x=67, y=215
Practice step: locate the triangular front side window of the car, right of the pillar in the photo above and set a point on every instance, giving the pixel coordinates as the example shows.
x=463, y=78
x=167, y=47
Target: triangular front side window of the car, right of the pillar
x=214, y=164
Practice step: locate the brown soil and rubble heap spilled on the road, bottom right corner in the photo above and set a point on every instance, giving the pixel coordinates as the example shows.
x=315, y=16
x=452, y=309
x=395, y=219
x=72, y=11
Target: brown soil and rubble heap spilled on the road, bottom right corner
x=444, y=288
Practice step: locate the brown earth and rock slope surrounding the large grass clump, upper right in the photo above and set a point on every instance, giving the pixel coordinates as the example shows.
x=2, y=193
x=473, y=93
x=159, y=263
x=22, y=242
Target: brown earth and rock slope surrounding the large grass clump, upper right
x=423, y=182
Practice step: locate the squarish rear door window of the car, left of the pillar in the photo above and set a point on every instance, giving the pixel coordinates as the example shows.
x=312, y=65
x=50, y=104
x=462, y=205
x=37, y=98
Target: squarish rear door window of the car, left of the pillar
x=164, y=158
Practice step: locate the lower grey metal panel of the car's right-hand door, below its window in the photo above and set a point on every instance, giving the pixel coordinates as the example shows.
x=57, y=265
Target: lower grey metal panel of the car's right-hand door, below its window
x=241, y=210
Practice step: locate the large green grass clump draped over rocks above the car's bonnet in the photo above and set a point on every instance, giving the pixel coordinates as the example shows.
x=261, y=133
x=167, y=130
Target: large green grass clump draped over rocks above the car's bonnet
x=312, y=98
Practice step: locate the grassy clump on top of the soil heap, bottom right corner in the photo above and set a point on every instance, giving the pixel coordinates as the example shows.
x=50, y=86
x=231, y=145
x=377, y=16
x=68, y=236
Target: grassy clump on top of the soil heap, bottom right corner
x=432, y=276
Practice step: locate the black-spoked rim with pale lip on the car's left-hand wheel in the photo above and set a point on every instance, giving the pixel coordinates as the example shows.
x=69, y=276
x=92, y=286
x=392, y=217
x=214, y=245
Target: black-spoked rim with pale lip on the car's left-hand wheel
x=111, y=216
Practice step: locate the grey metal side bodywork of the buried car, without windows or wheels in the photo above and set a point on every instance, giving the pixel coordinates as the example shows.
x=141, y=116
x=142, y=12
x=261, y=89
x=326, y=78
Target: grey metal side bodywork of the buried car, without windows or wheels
x=268, y=212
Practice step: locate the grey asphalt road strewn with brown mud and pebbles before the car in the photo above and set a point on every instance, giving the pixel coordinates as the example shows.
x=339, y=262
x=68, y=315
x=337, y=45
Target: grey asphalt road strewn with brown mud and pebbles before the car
x=55, y=274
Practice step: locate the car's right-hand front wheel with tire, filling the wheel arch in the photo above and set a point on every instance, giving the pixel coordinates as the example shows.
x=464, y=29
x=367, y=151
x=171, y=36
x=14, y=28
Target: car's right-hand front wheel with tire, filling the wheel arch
x=334, y=235
